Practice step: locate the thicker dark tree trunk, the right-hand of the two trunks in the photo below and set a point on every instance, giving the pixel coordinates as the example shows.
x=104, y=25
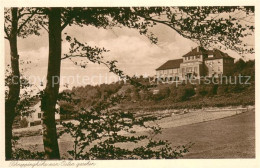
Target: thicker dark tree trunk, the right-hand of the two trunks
x=50, y=94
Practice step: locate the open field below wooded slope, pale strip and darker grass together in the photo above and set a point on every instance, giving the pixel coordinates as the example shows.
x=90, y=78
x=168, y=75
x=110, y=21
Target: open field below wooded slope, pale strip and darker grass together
x=219, y=134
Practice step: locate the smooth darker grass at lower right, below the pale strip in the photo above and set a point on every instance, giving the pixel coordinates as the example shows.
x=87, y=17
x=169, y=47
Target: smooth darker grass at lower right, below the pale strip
x=231, y=137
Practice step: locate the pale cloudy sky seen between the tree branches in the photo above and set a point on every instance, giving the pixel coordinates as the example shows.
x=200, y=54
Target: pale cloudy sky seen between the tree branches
x=134, y=52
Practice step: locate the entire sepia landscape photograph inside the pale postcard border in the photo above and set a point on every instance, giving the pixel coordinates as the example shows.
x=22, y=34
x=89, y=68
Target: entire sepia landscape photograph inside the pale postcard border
x=129, y=83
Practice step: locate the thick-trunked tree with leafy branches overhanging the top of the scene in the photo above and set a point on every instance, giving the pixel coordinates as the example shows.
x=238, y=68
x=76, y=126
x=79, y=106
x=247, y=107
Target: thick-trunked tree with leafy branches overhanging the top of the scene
x=195, y=23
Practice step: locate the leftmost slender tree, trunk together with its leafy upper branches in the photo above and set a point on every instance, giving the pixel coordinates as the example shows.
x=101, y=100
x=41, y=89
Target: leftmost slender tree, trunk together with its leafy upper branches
x=18, y=22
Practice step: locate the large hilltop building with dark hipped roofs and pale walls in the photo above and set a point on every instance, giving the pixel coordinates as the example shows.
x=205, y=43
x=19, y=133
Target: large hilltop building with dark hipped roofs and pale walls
x=196, y=63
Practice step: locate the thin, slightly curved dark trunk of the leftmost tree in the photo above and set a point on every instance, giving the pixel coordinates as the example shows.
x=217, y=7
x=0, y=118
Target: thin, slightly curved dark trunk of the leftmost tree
x=14, y=86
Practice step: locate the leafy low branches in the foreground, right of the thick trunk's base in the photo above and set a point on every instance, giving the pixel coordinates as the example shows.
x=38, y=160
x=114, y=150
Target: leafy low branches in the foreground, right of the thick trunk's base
x=99, y=132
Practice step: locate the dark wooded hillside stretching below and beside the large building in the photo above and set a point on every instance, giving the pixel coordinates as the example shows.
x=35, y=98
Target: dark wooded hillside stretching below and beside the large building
x=169, y=96
